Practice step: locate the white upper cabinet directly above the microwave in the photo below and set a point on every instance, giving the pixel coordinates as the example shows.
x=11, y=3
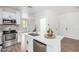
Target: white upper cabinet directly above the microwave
x=9, y=13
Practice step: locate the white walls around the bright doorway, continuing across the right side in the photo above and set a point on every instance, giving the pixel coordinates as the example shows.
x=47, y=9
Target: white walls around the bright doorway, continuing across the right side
x=65, y=24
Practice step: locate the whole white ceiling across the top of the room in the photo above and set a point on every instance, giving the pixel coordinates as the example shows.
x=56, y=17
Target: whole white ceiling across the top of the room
x=57, y=9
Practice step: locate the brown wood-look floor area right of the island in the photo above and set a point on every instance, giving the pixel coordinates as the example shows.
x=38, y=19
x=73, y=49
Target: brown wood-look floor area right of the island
x=69, y=45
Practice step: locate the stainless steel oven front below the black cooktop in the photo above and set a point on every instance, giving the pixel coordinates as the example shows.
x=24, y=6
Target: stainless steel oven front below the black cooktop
x=9, y=39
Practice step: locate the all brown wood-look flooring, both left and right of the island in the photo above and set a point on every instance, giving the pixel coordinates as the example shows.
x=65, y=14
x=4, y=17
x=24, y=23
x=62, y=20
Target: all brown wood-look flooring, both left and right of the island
x=67, y=45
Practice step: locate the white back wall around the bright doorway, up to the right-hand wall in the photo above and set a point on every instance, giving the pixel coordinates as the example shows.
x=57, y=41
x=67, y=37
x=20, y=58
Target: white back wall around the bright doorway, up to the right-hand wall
x=50, y=17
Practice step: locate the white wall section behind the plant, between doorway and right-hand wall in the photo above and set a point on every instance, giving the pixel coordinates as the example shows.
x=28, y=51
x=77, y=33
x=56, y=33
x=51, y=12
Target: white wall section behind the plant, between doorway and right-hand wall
x=53, y=21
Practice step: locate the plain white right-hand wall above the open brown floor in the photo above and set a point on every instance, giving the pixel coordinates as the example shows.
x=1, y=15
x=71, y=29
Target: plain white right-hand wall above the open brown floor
x=69, y=25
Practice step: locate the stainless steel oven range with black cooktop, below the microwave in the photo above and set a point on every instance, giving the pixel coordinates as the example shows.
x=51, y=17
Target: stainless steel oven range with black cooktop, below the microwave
x=9, y=38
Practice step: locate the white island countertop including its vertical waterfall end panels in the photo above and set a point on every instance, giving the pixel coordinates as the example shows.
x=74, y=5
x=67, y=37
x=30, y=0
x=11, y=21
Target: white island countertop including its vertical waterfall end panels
x=53, y=45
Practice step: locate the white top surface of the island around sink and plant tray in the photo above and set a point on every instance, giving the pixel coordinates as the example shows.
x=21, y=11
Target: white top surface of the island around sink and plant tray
x=44, y=40
